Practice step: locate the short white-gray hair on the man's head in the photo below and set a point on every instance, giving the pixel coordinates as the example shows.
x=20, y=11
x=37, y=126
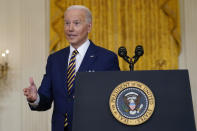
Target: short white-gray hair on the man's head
x=81, y=7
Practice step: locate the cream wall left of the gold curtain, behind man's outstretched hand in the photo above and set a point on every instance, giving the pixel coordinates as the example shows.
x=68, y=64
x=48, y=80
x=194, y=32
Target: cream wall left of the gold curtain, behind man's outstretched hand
x=24, y=31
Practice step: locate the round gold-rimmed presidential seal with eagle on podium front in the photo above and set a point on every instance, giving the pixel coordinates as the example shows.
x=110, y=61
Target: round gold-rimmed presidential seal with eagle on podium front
x=132, y=103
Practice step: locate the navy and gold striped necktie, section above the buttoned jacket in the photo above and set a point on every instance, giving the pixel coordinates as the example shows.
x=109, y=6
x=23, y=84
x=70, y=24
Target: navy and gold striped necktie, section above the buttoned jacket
x=71, y=73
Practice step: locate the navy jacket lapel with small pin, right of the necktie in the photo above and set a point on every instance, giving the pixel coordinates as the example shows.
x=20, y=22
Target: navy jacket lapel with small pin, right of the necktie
x=88, y=59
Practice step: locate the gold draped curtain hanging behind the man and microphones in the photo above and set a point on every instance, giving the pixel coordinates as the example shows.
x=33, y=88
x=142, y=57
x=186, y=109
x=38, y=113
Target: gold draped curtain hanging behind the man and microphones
x=154, y=24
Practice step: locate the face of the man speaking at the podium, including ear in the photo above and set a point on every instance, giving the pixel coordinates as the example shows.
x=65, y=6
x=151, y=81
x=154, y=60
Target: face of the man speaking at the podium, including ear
x=76, y=27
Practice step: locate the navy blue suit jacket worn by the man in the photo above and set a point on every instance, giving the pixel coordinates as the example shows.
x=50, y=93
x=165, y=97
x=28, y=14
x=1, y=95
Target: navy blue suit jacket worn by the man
x=53, y=86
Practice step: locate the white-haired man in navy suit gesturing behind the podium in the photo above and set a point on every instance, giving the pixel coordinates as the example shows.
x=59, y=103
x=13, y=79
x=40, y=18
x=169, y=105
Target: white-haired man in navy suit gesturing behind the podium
x=81, y=56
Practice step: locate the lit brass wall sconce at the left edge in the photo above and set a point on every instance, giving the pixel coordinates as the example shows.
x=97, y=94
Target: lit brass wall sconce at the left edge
x=4, y=64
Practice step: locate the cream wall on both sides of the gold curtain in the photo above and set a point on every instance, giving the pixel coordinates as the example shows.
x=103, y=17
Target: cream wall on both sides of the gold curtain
x=24, y=30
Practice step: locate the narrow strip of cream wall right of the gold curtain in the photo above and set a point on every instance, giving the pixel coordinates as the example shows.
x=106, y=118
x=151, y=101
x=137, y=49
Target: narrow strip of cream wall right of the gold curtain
x=188, y=57
